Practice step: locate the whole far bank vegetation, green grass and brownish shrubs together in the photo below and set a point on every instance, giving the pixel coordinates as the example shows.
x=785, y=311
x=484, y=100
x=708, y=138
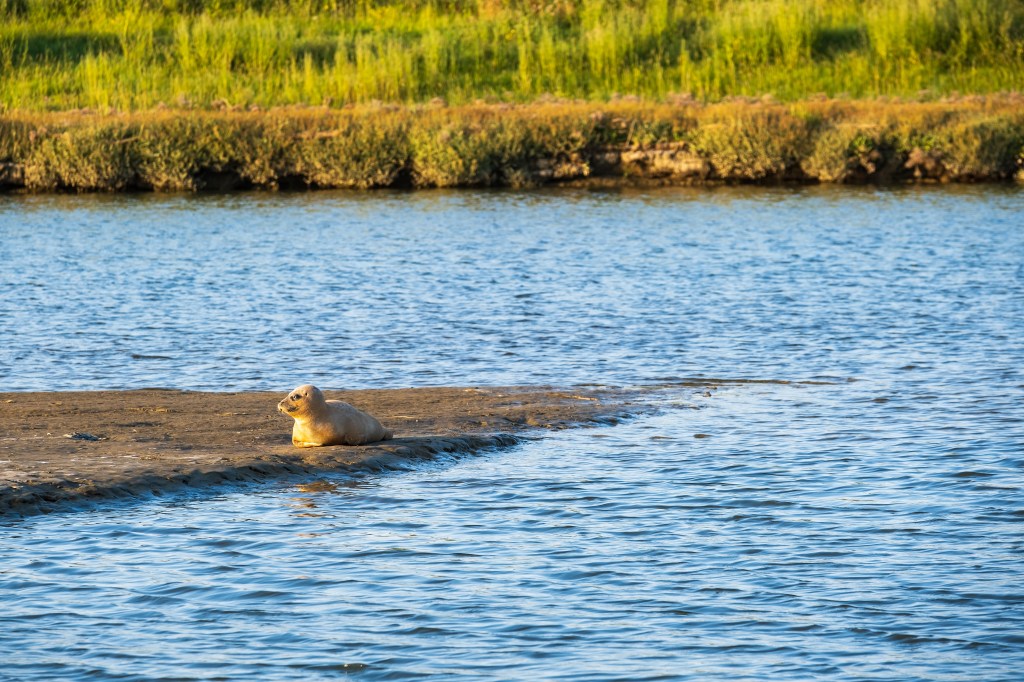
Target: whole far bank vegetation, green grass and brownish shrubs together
x=187, y=95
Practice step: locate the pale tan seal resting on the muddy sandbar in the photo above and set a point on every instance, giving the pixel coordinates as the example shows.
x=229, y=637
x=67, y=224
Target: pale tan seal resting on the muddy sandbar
x=321, y=422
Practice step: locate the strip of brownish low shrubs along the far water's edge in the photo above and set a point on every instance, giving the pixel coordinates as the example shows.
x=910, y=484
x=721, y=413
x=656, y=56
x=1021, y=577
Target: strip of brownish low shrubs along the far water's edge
x=972, y=139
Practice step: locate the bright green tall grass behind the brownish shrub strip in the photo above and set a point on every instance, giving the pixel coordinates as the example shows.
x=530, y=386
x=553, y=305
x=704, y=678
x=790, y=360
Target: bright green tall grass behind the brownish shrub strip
x=138, y=55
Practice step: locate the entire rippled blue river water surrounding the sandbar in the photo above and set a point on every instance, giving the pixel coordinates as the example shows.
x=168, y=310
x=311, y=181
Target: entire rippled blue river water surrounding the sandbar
x=864, y=523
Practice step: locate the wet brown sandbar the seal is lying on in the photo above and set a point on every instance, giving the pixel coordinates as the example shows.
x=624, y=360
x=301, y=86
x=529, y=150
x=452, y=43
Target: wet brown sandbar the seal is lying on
x=62, y=448
